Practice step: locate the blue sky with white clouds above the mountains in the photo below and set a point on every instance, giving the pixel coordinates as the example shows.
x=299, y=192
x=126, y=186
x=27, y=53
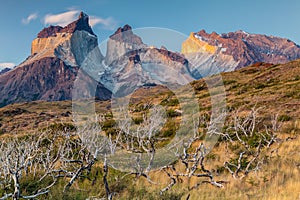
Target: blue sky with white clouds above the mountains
x=20, y=21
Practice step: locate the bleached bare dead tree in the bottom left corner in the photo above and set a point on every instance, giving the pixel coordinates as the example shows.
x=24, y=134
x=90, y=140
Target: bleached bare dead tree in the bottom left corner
x=21, y=157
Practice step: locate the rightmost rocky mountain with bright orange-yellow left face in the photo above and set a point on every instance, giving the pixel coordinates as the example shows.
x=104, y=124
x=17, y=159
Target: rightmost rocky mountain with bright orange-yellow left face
x=212, y=53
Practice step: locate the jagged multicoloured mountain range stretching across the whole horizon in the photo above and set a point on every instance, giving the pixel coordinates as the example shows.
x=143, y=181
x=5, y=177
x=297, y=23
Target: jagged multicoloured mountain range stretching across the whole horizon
x=59, y=54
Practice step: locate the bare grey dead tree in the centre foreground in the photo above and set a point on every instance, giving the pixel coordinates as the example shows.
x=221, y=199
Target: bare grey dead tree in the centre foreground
x=141, y=140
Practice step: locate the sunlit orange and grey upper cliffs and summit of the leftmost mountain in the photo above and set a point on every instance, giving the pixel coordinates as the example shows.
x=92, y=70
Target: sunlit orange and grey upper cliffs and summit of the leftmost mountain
x=71, y=43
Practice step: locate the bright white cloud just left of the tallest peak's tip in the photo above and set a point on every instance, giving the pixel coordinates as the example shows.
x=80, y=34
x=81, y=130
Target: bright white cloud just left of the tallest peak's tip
x=61, y=19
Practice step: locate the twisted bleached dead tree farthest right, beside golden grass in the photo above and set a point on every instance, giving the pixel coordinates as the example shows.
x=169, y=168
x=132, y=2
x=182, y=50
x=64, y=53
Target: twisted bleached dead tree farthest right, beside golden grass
x=248, y=139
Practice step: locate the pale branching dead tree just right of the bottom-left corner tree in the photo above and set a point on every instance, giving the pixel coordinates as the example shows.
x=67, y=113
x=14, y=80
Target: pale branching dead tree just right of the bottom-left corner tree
x=77, y=153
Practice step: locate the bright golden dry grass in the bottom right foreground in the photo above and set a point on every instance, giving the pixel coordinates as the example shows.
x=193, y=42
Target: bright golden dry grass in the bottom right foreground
x=278, y=179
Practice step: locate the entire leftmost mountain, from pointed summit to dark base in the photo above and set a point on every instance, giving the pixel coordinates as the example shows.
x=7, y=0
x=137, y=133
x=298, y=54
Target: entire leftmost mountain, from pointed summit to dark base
x=50, y=72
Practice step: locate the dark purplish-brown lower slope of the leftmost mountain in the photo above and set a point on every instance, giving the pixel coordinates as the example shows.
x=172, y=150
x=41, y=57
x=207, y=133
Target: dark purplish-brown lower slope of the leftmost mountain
x=47, y=79
